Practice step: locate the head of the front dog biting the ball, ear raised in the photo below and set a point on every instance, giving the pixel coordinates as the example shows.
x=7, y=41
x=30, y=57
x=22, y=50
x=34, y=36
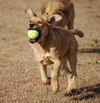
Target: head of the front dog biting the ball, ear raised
x=37, y=23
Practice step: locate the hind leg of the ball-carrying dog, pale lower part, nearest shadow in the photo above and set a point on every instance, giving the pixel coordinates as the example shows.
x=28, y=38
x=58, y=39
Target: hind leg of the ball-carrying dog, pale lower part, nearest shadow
x=72, y=78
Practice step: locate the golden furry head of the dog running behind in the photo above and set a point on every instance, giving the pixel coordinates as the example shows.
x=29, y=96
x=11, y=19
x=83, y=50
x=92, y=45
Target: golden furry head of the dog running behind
x=52, y=12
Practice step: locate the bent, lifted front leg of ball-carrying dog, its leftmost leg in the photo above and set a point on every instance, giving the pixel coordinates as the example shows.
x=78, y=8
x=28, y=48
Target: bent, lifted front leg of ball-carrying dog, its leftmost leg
x=43, y=72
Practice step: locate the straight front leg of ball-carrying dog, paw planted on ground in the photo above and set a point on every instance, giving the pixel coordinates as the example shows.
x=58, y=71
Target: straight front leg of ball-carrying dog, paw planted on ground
x=54, y=75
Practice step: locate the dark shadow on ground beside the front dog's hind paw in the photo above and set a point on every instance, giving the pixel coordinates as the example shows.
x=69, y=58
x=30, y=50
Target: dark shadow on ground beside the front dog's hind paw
x=86, y=93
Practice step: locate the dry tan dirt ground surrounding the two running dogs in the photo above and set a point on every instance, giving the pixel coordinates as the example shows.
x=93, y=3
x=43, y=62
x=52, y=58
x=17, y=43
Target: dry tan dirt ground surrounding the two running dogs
x=19, y=75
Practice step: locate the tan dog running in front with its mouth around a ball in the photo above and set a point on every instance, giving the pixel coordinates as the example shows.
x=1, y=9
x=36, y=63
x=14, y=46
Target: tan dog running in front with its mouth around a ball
x=56, y=45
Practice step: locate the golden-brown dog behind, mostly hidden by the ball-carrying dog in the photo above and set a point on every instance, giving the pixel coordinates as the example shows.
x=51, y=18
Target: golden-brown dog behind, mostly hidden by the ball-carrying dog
x=59, y=9
